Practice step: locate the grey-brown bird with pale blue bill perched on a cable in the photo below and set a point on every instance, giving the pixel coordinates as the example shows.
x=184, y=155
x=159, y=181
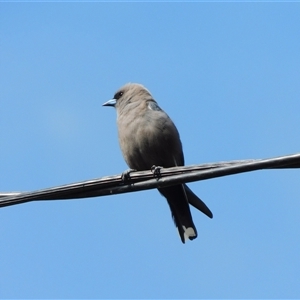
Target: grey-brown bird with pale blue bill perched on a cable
x=148, y=138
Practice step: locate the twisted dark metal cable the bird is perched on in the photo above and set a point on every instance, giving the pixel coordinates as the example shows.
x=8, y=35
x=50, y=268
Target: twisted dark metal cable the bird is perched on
x=143, y=180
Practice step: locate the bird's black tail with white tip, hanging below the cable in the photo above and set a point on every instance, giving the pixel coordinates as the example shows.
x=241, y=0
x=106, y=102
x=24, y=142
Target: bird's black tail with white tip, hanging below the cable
x=177, y=200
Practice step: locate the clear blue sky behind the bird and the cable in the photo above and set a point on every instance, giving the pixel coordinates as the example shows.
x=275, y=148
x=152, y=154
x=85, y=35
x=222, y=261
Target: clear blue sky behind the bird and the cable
x=228, y=75
